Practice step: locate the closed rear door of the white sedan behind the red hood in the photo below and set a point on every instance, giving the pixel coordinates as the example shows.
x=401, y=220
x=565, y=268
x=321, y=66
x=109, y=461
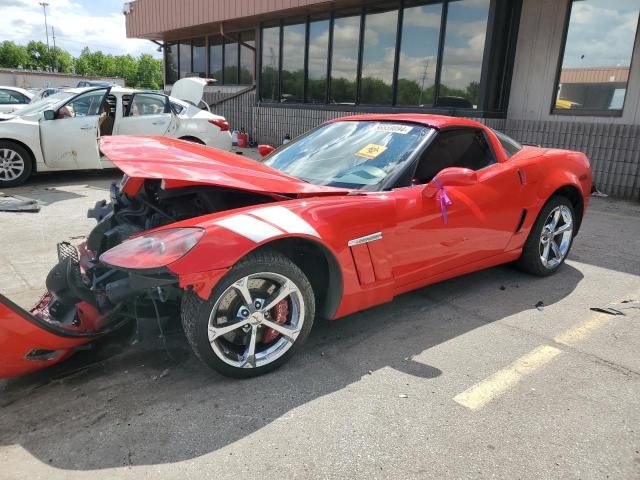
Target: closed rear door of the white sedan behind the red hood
x=146, y=114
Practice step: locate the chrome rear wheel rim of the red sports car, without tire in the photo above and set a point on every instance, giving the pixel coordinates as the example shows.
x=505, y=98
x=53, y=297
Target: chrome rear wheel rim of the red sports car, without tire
x=556, y=235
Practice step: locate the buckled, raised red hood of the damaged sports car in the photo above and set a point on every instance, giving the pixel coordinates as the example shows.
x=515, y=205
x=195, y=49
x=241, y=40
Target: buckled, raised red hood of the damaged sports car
x=170, y=159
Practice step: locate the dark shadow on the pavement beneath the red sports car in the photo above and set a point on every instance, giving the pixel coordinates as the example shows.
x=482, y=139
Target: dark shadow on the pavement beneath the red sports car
x=140, y=408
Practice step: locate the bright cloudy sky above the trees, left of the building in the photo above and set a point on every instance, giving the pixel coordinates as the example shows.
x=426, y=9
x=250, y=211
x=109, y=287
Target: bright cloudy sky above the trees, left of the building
x=97, y=24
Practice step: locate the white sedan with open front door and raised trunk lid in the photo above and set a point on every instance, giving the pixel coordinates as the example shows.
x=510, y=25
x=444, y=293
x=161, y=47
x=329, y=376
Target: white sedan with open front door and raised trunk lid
x=61, y=132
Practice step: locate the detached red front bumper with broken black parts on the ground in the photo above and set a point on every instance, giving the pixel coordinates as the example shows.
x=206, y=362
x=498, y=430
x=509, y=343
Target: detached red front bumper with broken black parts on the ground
x=85, y=301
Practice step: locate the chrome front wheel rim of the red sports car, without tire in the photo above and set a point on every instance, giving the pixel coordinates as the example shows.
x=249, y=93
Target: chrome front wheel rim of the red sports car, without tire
x=244, y=314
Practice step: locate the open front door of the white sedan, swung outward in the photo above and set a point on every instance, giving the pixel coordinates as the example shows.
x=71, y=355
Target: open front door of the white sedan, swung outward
x=69, y=138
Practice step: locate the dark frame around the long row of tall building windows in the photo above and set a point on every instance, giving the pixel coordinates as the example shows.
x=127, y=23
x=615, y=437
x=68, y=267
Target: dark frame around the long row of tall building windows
x=495, y=74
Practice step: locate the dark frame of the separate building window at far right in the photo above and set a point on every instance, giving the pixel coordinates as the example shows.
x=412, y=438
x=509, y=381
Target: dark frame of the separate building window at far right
x=585, y=112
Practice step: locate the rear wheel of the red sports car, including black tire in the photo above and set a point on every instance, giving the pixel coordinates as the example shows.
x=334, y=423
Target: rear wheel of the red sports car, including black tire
x=550, y=238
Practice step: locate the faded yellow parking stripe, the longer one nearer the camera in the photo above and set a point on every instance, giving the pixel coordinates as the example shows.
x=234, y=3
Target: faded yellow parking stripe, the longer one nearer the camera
x=491, y=387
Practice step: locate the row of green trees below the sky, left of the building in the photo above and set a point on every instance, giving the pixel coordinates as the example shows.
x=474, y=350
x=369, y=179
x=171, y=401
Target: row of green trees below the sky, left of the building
x=142, y=72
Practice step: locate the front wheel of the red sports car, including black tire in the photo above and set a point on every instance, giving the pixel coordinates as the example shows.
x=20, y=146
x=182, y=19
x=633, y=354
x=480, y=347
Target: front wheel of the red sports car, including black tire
x=255, y=319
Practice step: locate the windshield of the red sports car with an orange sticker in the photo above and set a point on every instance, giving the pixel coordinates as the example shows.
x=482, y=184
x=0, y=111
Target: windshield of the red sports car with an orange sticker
x=358, y=155
